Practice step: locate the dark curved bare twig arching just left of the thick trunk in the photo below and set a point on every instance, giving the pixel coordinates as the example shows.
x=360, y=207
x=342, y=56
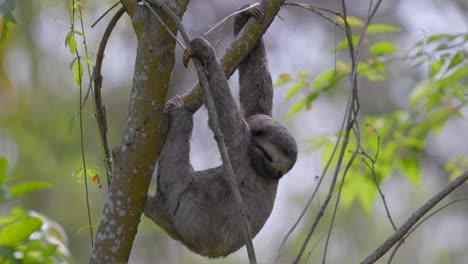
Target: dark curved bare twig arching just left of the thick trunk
x=100, y=108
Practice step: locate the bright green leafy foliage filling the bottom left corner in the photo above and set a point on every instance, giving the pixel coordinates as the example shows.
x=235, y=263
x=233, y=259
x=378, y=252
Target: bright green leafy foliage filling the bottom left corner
x=27, y=236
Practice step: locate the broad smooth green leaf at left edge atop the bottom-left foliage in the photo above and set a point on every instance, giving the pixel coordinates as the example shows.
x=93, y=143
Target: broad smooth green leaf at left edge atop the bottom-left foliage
x=19, y=231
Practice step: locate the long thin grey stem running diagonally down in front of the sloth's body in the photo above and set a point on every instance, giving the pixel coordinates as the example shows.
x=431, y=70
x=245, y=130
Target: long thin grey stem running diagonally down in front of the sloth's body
x=213, y=117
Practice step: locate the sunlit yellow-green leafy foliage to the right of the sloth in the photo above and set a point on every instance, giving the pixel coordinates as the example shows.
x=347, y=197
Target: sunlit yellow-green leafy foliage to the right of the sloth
x=395, y=141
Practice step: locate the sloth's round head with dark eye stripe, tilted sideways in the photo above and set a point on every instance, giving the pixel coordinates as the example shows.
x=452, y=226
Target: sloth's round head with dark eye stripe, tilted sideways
x=273, y=151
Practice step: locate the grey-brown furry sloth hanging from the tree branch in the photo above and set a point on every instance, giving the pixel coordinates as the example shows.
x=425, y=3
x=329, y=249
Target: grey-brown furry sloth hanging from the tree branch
x=198, y=208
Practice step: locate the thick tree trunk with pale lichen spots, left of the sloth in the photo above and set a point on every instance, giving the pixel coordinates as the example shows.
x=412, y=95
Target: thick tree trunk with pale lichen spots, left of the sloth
x=135, y=158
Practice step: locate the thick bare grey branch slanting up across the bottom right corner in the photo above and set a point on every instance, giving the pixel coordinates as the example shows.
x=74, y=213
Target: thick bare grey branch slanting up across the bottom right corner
x=410, y=222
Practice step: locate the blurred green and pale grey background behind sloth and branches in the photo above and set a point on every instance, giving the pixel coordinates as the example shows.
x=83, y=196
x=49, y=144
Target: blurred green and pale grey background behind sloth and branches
x=39, y=99
